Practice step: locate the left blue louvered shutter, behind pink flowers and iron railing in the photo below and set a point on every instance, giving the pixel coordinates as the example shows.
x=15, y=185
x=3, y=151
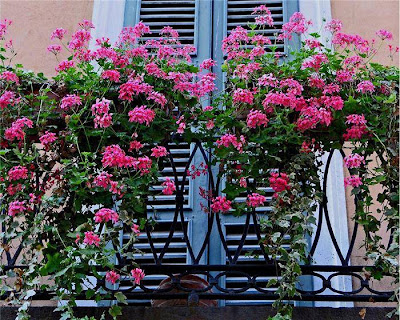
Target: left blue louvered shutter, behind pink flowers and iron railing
x=192, y=20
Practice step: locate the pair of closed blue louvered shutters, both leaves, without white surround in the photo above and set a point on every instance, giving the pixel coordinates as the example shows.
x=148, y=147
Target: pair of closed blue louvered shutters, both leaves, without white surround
x=204, y=24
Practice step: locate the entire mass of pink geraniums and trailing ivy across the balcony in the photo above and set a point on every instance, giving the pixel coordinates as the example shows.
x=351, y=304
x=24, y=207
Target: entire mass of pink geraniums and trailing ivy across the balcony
x=80, y=152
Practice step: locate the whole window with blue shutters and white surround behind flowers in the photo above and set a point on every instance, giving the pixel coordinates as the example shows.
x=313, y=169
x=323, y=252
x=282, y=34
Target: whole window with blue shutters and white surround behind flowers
x=204, y=23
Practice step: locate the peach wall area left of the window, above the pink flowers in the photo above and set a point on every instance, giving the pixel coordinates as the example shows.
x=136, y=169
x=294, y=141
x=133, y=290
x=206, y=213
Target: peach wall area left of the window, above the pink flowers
x=33, y=22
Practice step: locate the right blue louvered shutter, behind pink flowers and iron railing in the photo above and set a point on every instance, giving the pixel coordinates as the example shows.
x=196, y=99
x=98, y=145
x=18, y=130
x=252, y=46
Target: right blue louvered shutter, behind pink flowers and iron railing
x=227, y=15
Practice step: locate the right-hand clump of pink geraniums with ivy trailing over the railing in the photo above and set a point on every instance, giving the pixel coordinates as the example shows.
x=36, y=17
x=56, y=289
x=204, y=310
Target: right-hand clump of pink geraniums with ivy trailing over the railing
x=283, y=112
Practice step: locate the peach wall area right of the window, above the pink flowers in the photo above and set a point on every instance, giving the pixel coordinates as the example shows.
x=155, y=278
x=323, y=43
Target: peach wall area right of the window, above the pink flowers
x=365, y=17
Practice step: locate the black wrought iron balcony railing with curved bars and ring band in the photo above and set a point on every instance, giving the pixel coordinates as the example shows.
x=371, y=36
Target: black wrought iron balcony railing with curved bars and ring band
x=253, y=274
